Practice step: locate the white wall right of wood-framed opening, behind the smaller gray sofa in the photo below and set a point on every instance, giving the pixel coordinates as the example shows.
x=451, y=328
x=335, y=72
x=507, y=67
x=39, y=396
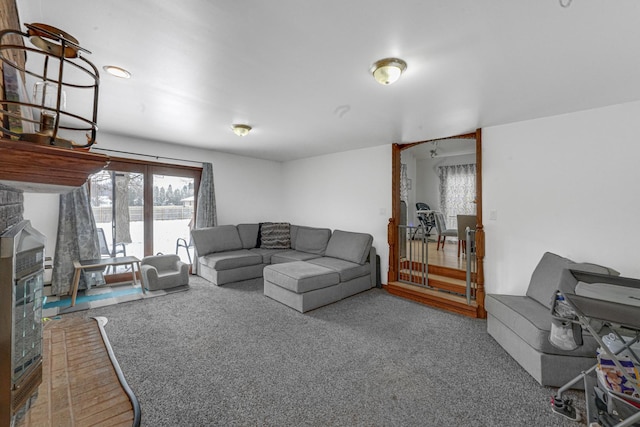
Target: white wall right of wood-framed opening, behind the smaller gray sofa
x=566, y=184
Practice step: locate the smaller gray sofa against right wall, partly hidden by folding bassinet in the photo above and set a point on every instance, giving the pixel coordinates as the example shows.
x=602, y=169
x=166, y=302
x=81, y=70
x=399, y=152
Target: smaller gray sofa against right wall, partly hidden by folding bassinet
x=521, y=324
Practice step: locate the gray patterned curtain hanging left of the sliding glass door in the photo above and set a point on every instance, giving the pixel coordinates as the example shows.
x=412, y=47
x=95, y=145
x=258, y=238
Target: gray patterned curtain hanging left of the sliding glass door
x=77, y=238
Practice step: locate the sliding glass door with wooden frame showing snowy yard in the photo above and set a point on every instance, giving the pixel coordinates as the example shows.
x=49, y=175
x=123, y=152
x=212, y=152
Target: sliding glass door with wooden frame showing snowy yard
x=144, y=208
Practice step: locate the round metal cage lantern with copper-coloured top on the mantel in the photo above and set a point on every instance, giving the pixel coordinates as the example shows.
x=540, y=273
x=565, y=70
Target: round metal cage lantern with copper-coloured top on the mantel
x=59, y=66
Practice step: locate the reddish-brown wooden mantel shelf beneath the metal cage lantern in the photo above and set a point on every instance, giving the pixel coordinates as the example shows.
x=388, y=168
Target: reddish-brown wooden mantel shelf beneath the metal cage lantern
x=43, y=164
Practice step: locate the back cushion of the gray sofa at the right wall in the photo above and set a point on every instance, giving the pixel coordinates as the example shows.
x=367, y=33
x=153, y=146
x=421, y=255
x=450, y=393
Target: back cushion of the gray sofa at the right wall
x=546, y=277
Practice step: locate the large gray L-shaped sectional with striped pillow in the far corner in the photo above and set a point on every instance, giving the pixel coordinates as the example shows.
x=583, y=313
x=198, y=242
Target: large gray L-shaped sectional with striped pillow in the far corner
x=303, y=267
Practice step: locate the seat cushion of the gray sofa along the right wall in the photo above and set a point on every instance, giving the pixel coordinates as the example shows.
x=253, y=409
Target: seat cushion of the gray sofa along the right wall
x=531, y=321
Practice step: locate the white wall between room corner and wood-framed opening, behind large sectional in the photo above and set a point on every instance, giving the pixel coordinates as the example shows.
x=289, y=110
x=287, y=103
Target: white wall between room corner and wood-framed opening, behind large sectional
x=348, y=191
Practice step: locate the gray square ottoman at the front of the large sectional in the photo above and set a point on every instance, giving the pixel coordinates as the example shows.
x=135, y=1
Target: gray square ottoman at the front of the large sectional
x=301, y=286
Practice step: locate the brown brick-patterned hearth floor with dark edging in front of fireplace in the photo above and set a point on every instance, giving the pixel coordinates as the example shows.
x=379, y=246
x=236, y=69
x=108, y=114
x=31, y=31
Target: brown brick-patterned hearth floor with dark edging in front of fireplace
x=80, y=385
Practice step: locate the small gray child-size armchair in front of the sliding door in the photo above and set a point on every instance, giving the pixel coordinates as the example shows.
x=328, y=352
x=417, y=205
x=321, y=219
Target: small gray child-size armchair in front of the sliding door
x=164, y=271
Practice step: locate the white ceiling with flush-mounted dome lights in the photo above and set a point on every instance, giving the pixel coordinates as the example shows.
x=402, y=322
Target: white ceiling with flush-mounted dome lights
x=298, y=71
